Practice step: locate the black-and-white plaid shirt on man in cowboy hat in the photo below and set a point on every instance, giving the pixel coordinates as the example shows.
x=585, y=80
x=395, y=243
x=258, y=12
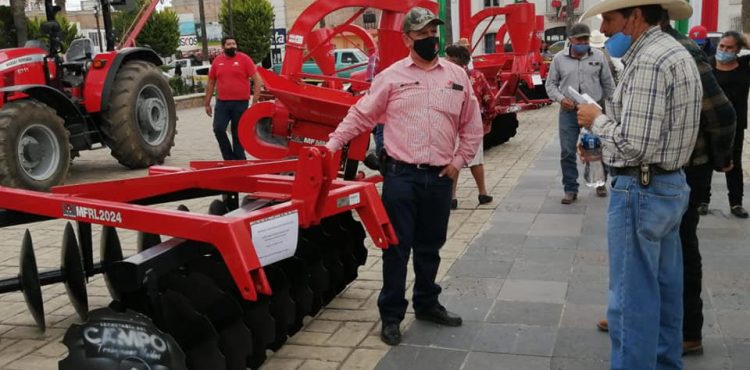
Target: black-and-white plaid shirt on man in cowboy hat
x=654, y=114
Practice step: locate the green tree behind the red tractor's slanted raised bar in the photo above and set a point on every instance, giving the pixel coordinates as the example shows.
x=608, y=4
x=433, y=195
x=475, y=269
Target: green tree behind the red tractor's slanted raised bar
x=161, y=32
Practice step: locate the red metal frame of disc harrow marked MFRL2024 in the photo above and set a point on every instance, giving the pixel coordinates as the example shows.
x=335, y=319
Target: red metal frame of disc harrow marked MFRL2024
x=312, y=192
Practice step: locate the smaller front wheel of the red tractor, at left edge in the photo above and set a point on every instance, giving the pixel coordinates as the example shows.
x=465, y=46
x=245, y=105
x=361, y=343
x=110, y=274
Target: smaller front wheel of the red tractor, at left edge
x=40, y=134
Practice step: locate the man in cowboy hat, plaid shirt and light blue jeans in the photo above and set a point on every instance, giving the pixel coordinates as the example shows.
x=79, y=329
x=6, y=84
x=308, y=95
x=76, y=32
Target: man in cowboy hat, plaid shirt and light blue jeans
x=648, y=134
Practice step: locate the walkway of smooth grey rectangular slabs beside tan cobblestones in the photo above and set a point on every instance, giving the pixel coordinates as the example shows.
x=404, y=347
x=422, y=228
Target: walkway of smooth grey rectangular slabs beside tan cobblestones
x=532, y=284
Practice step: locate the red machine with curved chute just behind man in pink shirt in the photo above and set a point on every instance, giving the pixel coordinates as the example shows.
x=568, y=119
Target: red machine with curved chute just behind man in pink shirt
x=302, y=113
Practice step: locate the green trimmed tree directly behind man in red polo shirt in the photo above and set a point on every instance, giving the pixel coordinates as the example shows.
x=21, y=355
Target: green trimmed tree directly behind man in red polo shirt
x=253, y=23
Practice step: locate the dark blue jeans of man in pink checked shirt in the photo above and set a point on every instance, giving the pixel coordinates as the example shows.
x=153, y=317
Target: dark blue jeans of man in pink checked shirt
x=418, y=204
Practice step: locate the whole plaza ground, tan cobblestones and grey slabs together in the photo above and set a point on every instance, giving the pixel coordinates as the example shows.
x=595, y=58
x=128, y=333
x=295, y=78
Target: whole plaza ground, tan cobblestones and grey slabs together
x=528, y=275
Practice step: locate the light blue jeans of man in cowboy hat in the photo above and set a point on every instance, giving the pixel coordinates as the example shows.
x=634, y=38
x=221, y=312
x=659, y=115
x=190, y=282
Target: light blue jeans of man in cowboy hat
x=645, y=271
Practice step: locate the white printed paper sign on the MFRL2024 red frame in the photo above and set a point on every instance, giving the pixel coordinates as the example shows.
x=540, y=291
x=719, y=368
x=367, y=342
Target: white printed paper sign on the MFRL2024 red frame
x=275, y=238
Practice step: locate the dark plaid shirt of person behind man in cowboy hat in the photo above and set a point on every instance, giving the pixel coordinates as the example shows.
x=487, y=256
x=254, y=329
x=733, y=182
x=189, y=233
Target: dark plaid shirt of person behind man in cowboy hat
x=718, y=119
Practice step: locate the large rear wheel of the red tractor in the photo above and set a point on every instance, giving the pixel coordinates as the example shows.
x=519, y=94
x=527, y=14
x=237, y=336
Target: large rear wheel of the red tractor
x=134, y=140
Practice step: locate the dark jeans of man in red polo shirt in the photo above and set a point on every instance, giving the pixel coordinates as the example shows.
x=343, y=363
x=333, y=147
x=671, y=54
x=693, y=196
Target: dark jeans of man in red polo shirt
x=224, y=112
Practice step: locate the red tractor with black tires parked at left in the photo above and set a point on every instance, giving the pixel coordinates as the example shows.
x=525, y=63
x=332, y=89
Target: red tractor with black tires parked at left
x=56, y=105
